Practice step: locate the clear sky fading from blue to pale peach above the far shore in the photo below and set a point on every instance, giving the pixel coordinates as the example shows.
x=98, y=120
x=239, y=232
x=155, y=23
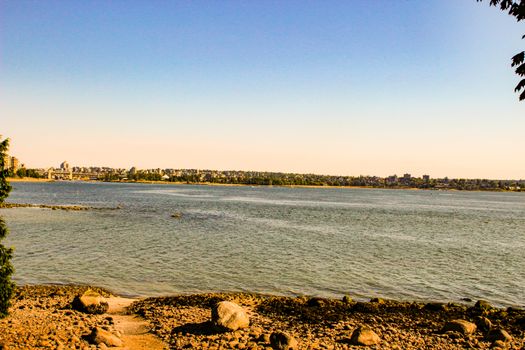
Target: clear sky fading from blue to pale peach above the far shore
x=329, y=87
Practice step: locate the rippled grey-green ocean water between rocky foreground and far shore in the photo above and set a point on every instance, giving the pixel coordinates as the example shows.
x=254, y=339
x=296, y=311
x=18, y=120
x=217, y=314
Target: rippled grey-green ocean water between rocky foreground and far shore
x=400, y=244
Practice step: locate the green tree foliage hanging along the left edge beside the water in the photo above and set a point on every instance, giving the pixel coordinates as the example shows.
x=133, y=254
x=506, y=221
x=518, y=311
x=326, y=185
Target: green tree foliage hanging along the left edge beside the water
x=6, y=268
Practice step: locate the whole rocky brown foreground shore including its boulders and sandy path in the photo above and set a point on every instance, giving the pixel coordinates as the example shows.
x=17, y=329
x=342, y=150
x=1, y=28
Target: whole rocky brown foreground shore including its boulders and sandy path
x=48, y=317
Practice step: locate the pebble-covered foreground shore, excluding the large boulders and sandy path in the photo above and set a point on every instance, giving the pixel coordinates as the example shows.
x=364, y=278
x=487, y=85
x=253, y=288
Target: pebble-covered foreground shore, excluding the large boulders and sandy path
x=41, y=316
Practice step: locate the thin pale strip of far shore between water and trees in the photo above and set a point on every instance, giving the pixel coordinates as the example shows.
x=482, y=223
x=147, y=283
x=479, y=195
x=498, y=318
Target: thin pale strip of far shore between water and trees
x=180, y=183
